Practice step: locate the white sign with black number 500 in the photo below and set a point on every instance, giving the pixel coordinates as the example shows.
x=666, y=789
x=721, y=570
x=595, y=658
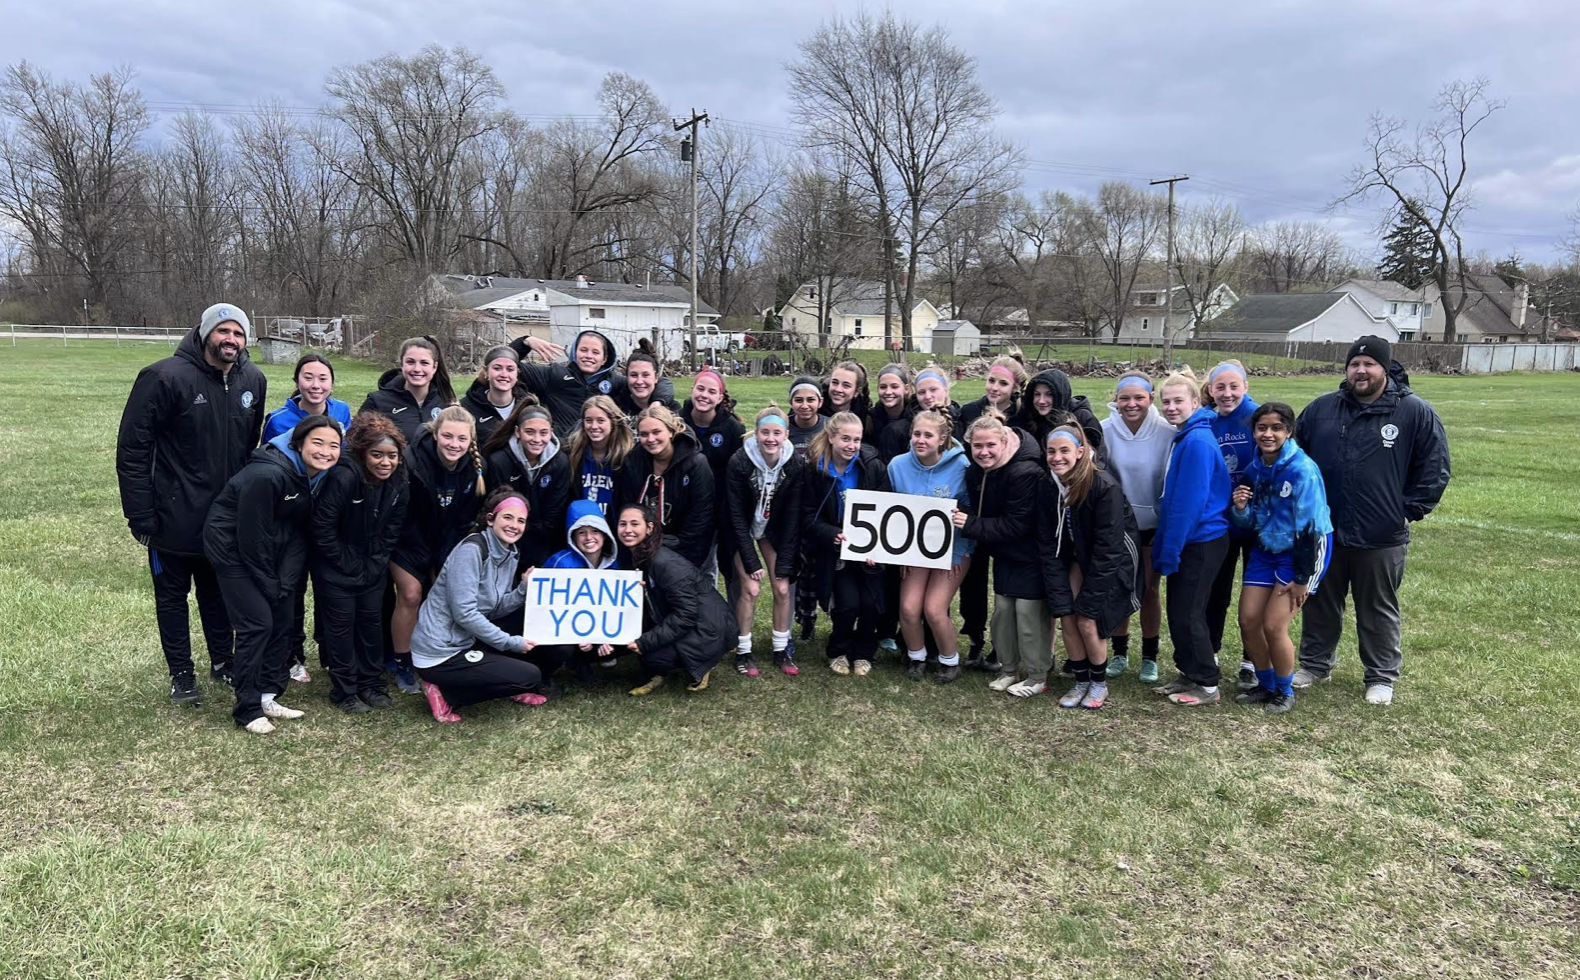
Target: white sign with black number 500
x=900, y=529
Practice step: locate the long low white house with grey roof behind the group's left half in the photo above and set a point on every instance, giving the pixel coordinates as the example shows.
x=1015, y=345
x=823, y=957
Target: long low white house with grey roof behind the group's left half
x=562, y=309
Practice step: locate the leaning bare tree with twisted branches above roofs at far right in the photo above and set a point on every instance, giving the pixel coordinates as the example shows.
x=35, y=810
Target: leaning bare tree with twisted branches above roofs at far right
x=1426, y=178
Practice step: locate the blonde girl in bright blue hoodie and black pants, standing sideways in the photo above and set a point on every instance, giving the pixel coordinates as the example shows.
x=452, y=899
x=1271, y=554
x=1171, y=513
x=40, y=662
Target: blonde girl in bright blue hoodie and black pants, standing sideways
x=1192, y=541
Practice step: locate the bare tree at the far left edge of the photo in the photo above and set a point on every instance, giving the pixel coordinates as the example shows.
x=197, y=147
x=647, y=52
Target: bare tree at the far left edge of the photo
x=72, y=171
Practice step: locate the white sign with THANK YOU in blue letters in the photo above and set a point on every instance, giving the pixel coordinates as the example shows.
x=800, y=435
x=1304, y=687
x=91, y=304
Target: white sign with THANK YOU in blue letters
x=584, y=606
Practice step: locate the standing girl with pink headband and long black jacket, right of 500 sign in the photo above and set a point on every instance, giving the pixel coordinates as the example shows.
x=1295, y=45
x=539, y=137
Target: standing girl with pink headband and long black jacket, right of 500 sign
x=1091, y=567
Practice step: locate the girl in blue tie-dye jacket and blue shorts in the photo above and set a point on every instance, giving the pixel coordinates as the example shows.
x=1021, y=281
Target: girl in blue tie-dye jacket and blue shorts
x=1285, y=505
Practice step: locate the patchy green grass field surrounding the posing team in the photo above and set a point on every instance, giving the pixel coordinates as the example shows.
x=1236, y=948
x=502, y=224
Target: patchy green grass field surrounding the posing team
x=811, y=827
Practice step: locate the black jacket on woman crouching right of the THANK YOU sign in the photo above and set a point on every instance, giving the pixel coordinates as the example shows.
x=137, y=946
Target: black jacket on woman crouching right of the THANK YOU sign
x=687, y=614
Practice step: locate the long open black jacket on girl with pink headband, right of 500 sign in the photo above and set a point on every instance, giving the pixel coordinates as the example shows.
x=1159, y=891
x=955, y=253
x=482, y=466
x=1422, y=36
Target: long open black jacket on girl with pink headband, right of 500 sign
x=1100, y=537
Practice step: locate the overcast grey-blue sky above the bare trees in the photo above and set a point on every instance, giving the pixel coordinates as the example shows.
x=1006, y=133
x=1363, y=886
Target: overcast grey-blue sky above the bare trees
x=1263, y=104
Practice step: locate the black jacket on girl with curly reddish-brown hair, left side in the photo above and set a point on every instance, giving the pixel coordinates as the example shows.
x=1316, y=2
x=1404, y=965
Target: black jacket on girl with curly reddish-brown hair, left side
x=356, y=526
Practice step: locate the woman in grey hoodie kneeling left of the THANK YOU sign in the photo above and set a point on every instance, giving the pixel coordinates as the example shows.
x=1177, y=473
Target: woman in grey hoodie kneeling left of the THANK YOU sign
x=459, y=649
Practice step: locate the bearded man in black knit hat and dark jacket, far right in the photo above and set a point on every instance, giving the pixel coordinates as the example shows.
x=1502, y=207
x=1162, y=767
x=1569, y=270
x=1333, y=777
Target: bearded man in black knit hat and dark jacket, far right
x=1385, y=464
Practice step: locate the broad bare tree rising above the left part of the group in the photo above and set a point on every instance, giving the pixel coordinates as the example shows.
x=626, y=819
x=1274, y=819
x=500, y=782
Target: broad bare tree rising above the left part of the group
x=412, y=124
